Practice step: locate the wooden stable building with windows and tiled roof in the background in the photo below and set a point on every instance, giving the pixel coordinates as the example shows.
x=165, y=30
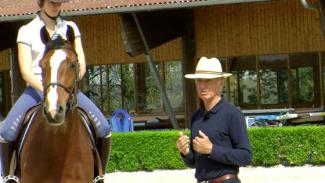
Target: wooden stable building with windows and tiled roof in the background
x=275, y=50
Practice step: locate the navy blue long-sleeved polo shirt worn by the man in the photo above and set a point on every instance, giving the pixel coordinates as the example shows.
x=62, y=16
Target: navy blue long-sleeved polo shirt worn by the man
x=226, y=128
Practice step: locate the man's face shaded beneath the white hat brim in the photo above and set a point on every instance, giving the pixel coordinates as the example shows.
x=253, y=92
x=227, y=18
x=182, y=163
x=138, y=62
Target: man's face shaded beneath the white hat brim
x=208, y=89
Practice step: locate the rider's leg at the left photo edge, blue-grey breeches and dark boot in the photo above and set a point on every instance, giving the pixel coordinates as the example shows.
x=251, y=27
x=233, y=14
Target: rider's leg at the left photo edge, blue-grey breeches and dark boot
x=8, y=130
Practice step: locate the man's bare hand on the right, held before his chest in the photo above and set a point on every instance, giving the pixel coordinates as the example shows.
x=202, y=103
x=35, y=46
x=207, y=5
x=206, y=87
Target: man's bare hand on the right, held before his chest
x=202, y=143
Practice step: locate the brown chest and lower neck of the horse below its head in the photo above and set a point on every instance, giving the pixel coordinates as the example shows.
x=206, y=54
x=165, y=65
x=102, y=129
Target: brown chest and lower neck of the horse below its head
x=56, y=153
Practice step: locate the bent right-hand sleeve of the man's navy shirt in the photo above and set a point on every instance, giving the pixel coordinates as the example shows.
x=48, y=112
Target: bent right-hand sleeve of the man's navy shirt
x=240, y=154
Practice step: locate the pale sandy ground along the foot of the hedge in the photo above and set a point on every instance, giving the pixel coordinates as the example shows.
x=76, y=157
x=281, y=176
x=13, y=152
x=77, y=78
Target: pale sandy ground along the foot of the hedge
x=277, y=174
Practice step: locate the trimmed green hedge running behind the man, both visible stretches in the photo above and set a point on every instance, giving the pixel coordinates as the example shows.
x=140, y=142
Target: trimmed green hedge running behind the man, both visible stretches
x=150, y=150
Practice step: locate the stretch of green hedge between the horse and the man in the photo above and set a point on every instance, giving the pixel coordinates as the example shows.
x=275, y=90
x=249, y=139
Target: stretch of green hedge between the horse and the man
x=147, y=150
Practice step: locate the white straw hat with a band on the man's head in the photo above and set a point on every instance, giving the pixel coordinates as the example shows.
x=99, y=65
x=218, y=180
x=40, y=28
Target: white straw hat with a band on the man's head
x=208, y=69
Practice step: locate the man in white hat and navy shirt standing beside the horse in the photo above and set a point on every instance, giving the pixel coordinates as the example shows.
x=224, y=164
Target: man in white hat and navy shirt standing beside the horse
x=219, y=142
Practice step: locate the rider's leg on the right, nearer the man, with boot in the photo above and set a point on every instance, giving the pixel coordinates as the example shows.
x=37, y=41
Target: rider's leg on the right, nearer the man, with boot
x=102, y=127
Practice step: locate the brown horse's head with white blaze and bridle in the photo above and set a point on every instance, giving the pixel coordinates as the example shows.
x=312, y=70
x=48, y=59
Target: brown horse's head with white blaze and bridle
x=60, y=73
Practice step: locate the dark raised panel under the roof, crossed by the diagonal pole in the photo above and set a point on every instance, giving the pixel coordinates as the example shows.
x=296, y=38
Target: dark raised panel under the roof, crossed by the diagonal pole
x=158, y=28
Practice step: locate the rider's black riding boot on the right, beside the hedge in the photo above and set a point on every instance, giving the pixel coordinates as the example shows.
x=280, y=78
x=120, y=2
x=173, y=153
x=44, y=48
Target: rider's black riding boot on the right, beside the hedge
x=104, y=149
